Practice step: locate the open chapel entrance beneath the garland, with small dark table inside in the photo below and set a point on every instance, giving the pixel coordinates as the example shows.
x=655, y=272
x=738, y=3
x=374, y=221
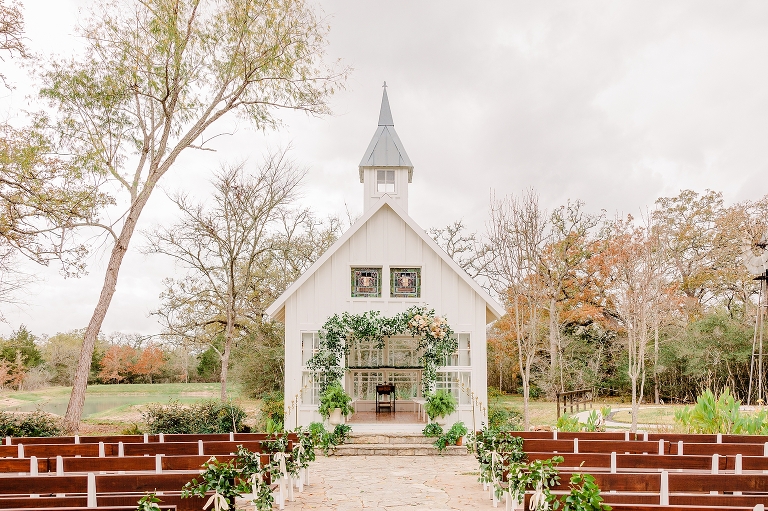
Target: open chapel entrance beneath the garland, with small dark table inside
x=396, y=364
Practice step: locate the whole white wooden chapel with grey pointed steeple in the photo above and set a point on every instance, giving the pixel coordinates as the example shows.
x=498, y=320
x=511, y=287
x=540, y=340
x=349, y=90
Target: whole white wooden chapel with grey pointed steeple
x=386, y=262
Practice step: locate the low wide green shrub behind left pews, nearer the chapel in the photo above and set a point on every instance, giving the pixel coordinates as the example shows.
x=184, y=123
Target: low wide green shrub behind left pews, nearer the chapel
x=210, y=416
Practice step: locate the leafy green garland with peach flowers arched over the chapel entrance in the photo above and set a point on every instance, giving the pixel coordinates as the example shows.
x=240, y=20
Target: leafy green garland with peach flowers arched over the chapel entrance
x=436, y=340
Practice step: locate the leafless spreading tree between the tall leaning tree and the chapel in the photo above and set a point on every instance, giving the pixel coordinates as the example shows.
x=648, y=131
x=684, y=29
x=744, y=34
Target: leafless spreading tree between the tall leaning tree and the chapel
x=221, y=244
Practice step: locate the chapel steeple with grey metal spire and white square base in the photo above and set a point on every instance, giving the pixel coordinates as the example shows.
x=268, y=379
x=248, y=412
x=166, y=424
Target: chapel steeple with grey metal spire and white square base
x=385, y=168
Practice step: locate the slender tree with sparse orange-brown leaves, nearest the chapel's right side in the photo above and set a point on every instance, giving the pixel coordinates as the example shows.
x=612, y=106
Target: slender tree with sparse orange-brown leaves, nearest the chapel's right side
x=516, y=240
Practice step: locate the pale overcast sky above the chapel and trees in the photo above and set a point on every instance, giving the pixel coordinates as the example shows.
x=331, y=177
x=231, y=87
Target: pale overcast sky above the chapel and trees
x=613, y=103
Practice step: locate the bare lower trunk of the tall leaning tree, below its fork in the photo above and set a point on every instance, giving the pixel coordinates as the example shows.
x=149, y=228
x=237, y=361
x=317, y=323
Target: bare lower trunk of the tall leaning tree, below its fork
x=77, y=399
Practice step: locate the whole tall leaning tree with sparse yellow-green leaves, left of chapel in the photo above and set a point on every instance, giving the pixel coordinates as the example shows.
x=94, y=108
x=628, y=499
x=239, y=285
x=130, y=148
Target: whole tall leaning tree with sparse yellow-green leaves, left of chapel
x=154, y=79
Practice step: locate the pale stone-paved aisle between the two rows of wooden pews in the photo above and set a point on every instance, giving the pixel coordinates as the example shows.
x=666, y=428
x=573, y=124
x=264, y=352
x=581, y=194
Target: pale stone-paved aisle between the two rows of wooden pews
x=393, y=483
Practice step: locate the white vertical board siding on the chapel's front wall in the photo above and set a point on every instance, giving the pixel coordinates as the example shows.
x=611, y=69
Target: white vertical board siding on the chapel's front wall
x=384, y=241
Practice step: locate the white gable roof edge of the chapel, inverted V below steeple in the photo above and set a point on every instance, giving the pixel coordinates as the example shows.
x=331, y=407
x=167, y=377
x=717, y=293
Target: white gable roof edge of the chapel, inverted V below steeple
x=276, y=310
